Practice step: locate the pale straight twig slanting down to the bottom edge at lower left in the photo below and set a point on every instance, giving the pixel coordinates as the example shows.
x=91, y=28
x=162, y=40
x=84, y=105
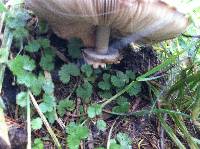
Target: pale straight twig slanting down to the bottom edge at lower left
x=44, y=120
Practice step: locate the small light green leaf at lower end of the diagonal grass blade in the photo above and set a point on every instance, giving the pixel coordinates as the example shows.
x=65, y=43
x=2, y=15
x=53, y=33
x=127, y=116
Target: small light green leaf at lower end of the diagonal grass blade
x=94, y=110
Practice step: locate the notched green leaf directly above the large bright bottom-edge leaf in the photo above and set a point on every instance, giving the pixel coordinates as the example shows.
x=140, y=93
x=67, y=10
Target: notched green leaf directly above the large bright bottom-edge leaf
x=64, y=105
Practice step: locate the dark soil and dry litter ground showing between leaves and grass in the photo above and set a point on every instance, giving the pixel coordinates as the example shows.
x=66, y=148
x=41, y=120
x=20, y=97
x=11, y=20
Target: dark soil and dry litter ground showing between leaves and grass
x=145, y=131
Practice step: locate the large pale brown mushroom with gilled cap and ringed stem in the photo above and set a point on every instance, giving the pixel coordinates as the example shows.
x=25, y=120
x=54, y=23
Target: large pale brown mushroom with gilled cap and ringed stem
x=96, y=21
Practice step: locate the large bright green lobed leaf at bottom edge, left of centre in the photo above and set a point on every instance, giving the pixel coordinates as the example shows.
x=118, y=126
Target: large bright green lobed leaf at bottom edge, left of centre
x=76, y=133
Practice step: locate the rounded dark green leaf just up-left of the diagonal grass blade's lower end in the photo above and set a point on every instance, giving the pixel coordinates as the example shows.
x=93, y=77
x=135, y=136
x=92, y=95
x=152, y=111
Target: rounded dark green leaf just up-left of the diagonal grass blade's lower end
x=84, y=91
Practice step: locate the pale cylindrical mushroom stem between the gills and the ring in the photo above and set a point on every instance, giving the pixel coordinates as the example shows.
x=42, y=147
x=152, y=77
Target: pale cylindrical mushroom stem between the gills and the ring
x=102, y=39
